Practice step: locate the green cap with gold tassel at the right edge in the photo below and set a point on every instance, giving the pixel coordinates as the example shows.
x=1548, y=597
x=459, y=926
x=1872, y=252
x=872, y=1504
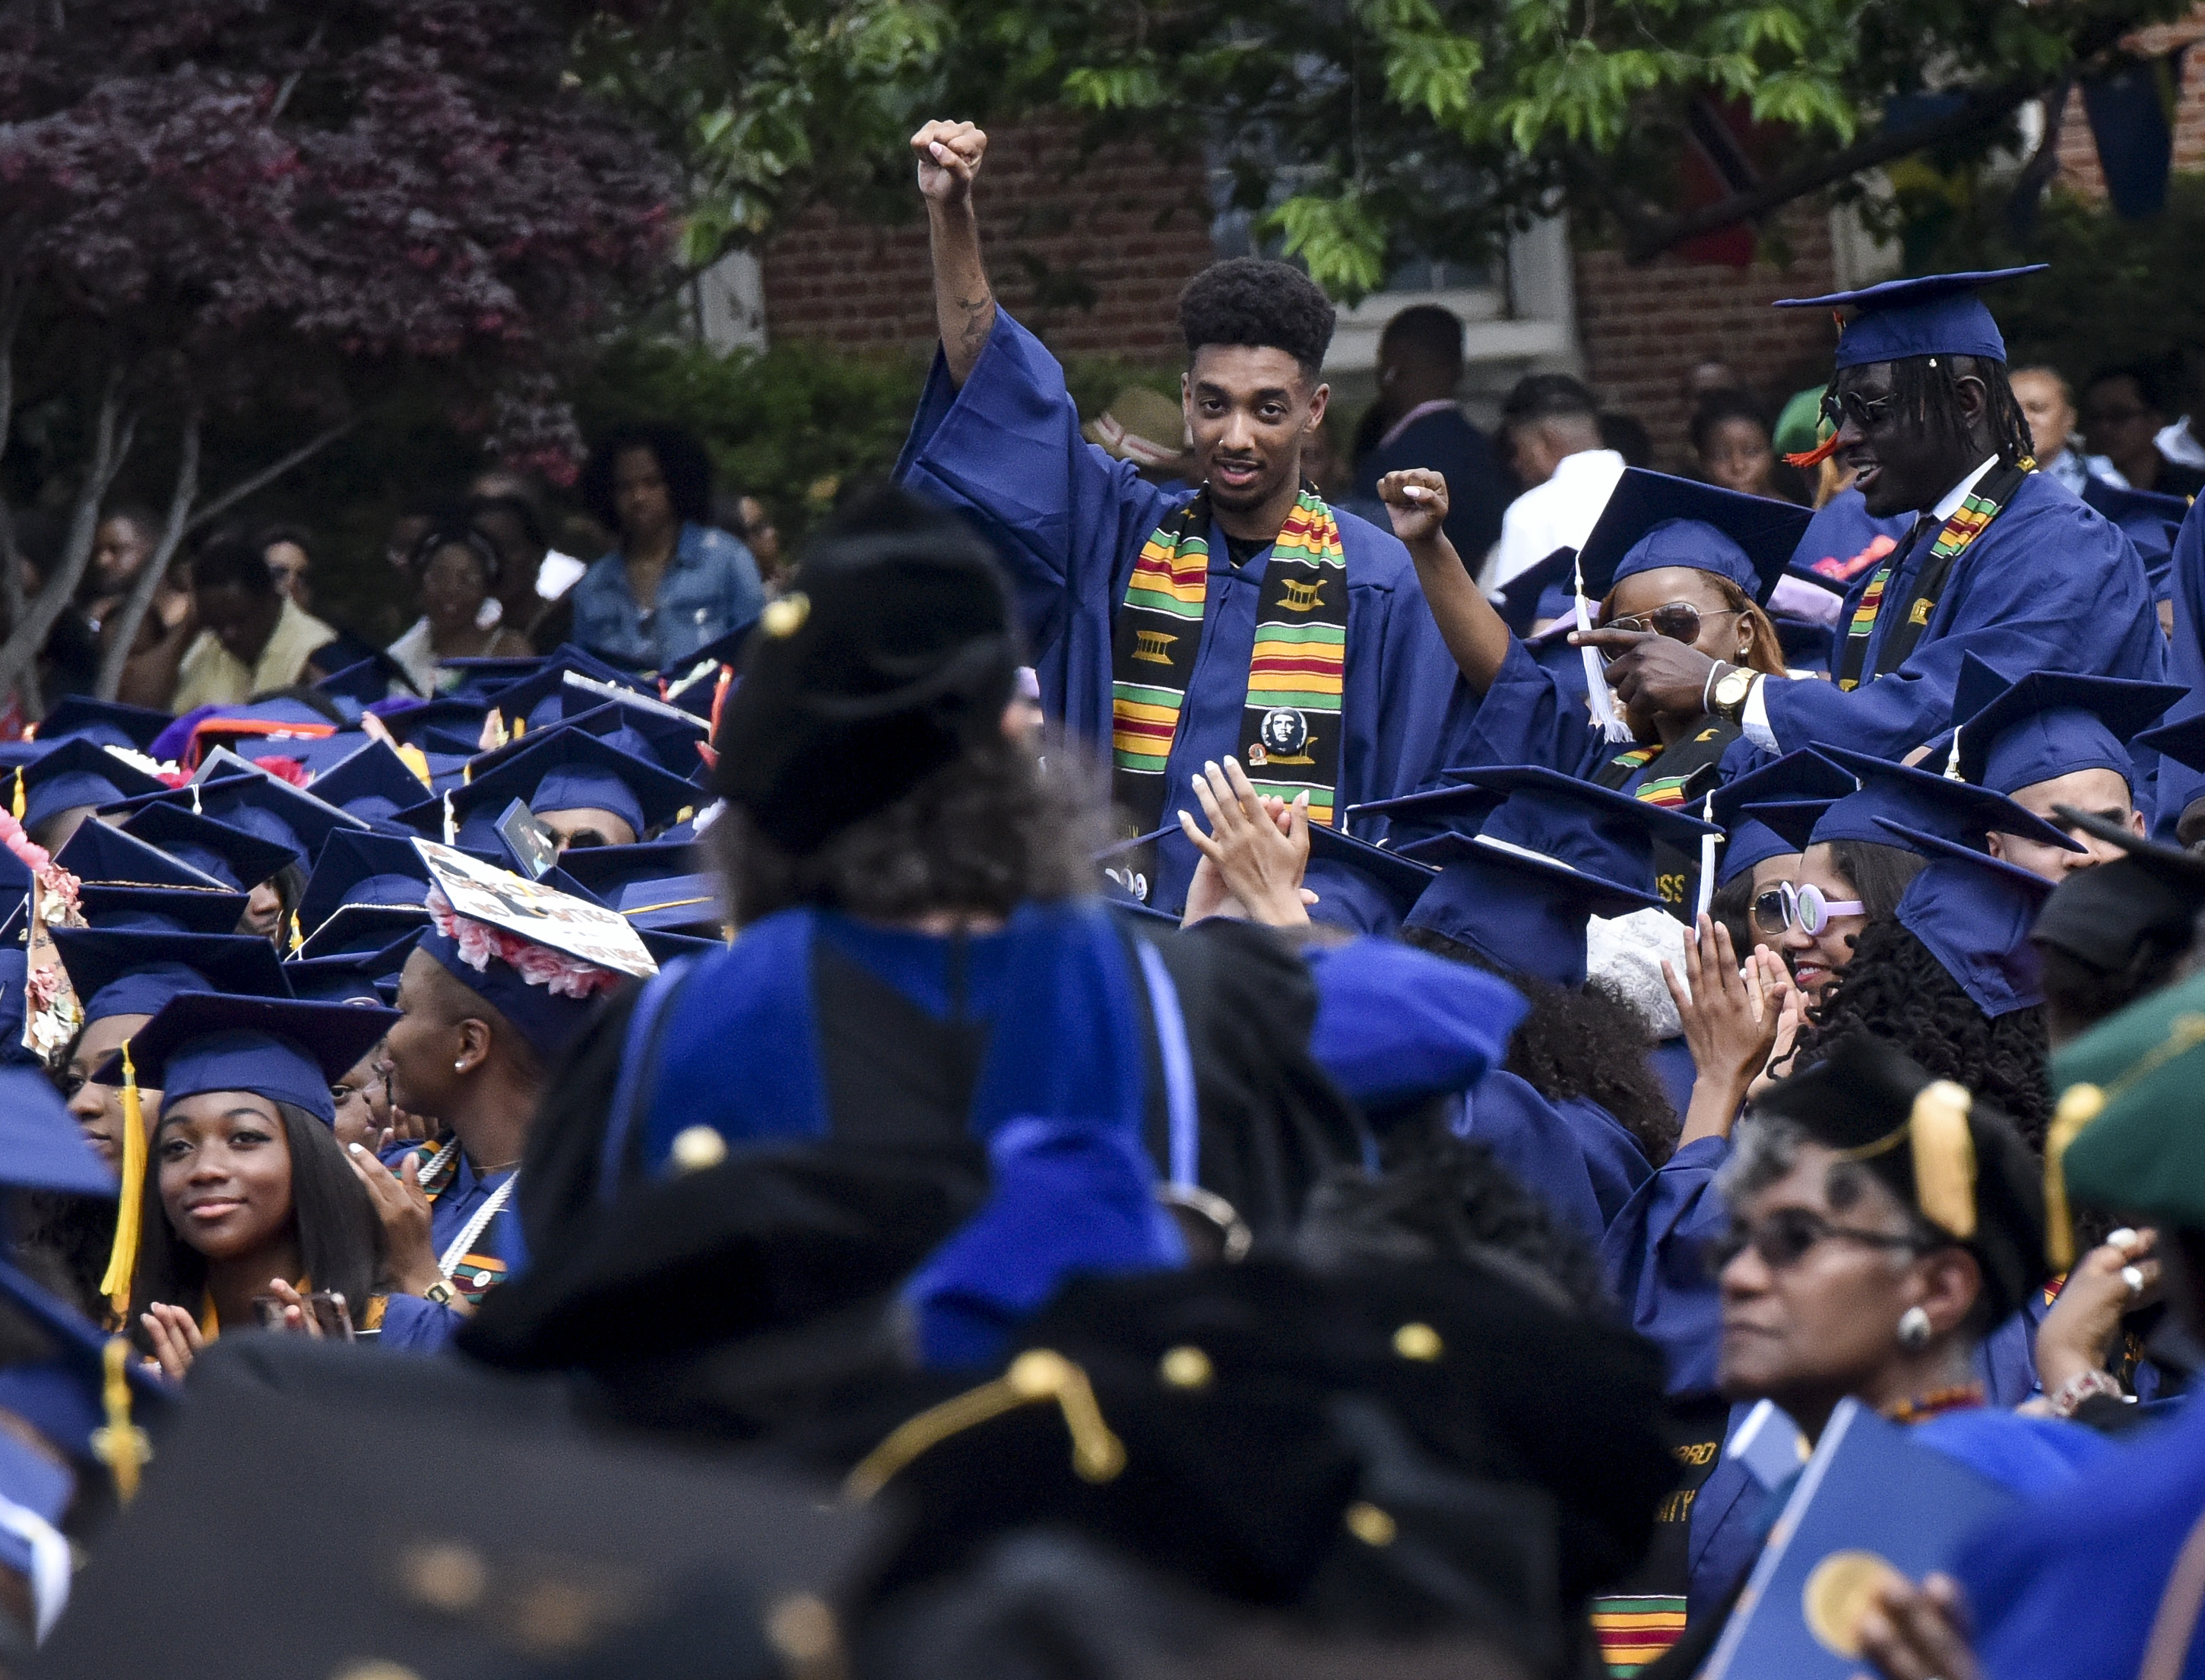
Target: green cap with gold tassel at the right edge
x=2129, y=1132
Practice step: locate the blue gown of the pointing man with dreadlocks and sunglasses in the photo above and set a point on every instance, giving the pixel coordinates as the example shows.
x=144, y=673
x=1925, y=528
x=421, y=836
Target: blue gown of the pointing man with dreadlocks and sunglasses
x=2050, y=585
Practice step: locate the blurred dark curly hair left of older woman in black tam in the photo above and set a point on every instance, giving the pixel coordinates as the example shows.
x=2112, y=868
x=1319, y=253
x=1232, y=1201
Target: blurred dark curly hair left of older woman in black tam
x=1452, y=1203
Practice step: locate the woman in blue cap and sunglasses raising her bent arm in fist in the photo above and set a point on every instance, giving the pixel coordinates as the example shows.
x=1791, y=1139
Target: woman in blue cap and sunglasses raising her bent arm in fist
x=1679, y=559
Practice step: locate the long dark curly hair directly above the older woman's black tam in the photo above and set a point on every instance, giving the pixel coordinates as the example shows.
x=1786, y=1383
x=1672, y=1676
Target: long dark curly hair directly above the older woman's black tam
x=1897, y=991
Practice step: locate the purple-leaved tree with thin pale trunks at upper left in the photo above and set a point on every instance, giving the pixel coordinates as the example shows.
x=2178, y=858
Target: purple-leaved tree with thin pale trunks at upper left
x=239, y=204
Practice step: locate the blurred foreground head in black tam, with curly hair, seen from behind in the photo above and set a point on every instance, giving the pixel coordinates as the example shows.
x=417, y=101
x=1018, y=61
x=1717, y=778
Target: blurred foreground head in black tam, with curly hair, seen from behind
x=865, y=757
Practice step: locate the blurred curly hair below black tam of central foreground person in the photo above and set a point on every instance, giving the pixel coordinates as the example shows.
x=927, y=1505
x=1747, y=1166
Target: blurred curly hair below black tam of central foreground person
x=982, y=834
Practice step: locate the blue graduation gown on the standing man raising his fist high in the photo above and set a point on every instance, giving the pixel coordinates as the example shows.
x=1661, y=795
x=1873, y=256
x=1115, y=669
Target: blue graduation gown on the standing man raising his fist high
x=1068, y=524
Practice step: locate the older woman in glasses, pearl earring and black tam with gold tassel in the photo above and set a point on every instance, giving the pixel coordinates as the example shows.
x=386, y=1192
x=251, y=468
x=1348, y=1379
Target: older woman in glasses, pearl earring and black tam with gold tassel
x=1842, y=1278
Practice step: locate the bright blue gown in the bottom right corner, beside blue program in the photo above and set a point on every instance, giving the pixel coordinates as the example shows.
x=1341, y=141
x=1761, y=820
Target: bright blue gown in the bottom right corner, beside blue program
x=2069, y=1586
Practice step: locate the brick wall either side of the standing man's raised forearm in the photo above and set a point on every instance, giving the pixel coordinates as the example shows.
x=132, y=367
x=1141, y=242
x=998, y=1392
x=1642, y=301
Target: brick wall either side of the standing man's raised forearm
x=1093, y=259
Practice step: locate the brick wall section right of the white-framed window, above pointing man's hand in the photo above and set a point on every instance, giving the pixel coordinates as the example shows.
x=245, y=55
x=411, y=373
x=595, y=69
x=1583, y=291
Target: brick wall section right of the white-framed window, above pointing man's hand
x=1646, y=327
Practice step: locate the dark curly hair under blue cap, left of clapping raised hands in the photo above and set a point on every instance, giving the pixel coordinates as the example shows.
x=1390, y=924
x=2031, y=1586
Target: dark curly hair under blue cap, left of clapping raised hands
x=1584, y=1044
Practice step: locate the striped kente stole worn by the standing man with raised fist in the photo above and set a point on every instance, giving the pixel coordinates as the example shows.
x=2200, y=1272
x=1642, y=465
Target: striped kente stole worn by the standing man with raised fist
x=1291, y=724
